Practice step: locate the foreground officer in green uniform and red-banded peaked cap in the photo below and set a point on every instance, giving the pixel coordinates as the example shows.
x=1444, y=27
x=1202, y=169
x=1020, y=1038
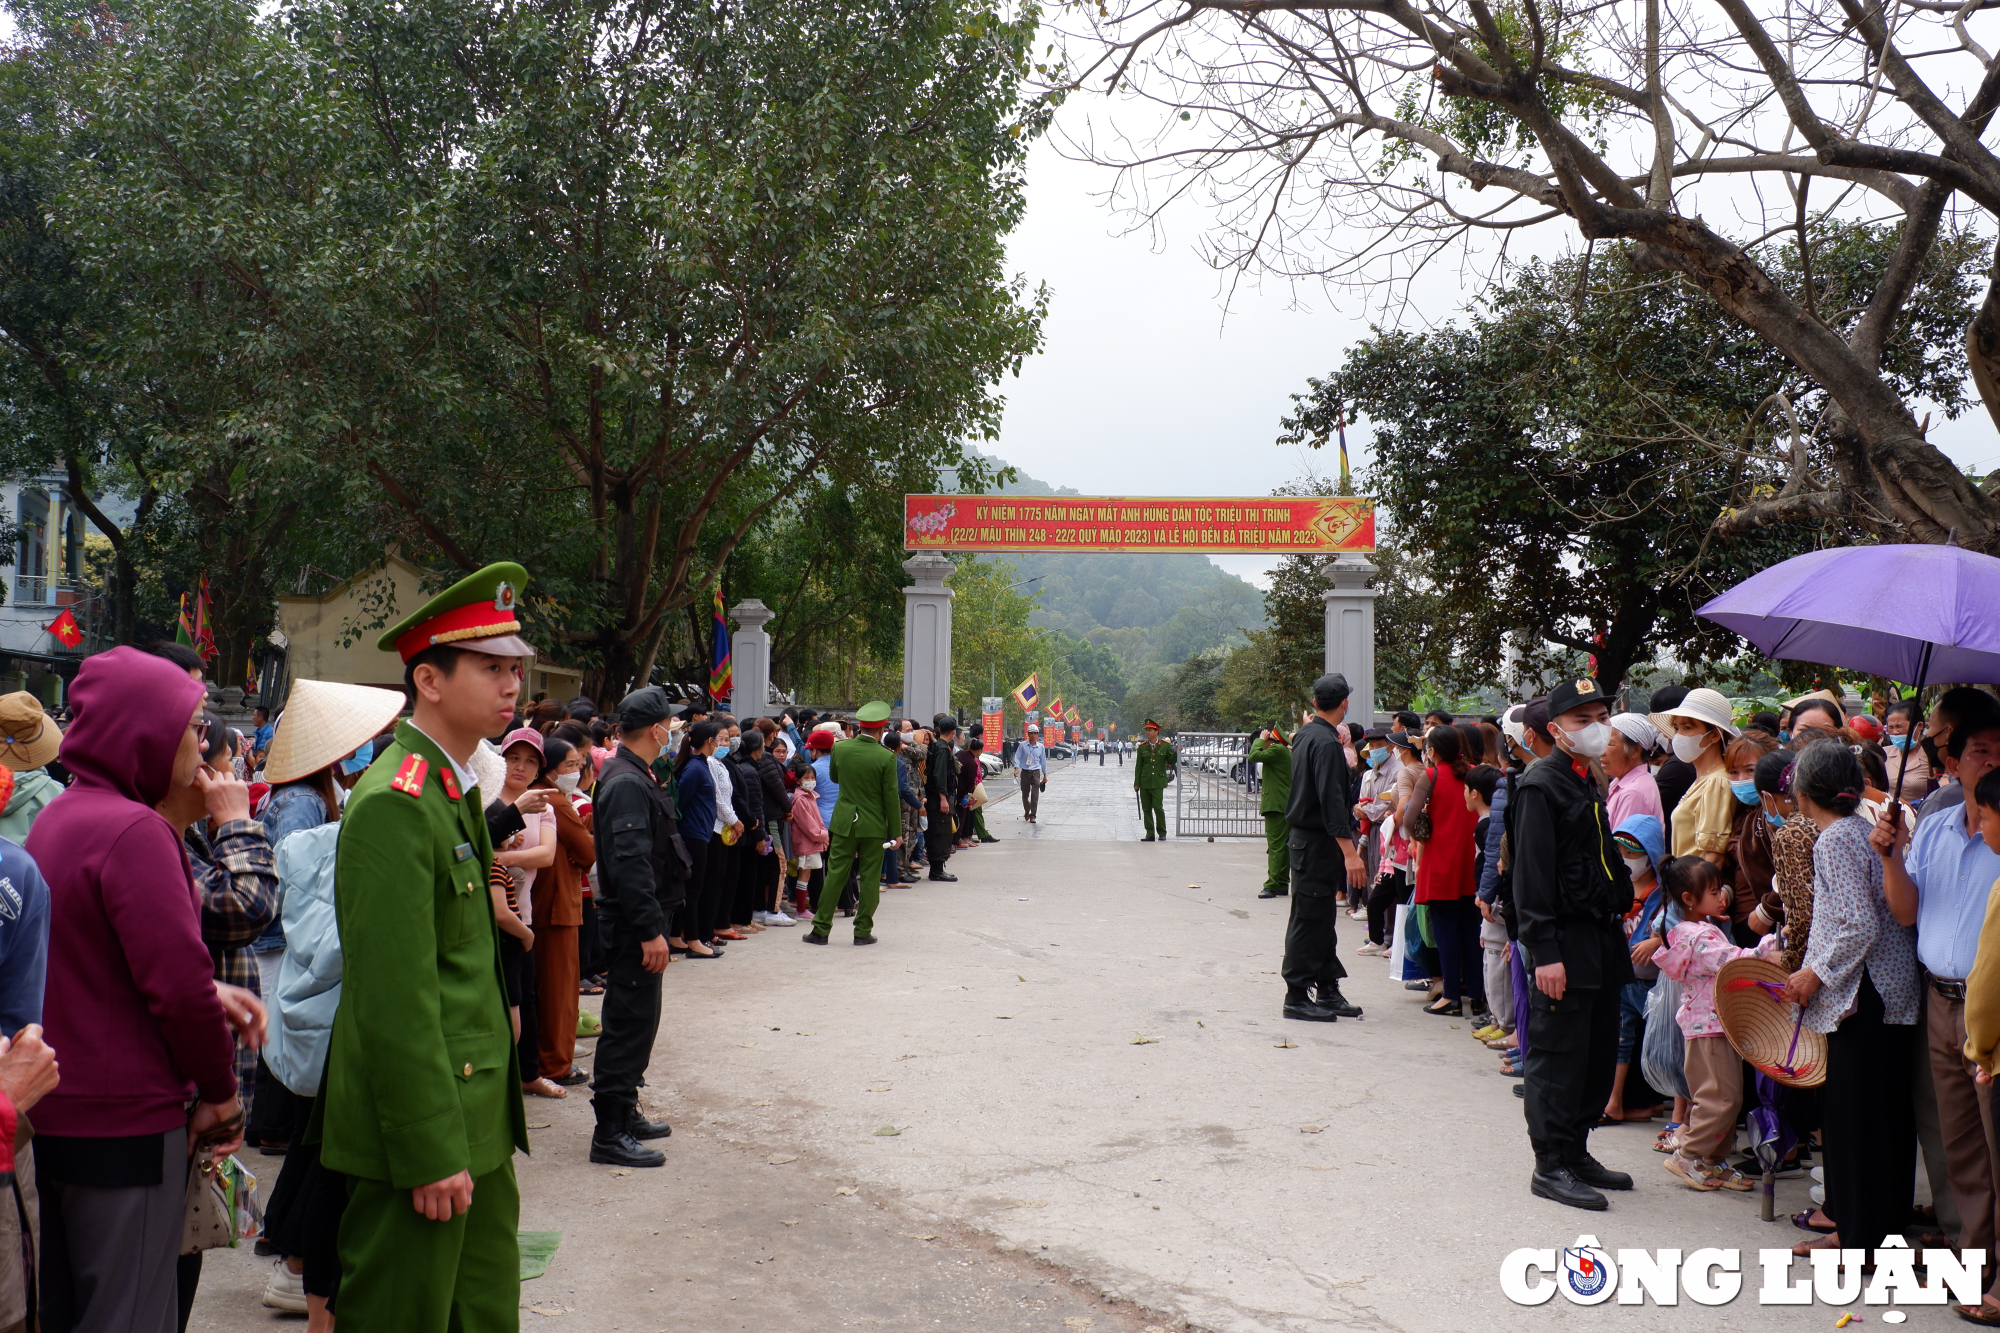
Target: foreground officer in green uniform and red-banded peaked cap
x=421, y=1102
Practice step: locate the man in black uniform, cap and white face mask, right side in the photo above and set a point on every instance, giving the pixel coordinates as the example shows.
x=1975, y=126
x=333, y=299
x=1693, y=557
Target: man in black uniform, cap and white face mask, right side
x=1571, y=890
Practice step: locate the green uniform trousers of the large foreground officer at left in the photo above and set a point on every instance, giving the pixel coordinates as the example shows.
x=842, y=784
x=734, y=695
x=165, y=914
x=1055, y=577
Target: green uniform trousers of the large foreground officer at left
x=403, y=1272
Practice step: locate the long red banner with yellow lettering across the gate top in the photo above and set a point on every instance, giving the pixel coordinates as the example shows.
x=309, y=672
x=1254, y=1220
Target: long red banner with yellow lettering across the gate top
x=1215, y=525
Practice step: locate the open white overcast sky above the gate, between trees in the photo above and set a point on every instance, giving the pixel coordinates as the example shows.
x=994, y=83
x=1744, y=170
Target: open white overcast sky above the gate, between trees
x=1153, y=385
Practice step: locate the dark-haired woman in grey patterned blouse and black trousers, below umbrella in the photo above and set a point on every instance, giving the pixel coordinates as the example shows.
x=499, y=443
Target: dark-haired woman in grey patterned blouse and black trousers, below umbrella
x=1859, y=986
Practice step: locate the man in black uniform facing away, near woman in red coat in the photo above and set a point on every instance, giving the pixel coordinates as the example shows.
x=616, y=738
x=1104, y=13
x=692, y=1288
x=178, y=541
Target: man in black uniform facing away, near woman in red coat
x=1325, y=860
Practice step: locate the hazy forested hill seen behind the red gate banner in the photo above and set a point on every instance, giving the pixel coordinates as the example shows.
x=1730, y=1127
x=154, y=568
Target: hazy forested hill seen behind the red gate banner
x=1147, y=609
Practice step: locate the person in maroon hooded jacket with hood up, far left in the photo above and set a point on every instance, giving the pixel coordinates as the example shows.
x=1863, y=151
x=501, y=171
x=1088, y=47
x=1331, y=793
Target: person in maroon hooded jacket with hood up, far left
x=131, y=1002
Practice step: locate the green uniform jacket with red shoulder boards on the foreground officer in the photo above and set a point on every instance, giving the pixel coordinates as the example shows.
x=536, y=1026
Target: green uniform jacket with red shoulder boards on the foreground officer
x=421, y=1078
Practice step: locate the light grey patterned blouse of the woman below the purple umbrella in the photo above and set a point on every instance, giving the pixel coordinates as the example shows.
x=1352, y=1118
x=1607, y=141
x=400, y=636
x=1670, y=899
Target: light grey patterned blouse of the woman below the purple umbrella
x=1853, y=930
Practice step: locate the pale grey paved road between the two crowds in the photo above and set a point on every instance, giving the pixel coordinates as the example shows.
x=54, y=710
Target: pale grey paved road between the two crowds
x=1083, y=1060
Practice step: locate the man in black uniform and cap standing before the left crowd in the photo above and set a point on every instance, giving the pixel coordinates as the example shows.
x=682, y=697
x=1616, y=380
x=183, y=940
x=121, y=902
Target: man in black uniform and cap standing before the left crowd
x=639, y=884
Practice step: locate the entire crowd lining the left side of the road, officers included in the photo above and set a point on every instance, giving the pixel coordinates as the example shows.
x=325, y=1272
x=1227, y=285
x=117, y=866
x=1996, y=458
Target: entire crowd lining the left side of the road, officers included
x=391, y=910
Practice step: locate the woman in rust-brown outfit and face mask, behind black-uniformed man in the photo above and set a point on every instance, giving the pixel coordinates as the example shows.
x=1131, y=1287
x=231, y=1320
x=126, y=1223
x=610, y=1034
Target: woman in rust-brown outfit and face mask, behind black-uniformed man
x=559, y=912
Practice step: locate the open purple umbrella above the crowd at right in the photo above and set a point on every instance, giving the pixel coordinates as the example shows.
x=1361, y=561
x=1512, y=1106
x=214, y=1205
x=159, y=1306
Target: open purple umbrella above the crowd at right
x=1907, y=613
